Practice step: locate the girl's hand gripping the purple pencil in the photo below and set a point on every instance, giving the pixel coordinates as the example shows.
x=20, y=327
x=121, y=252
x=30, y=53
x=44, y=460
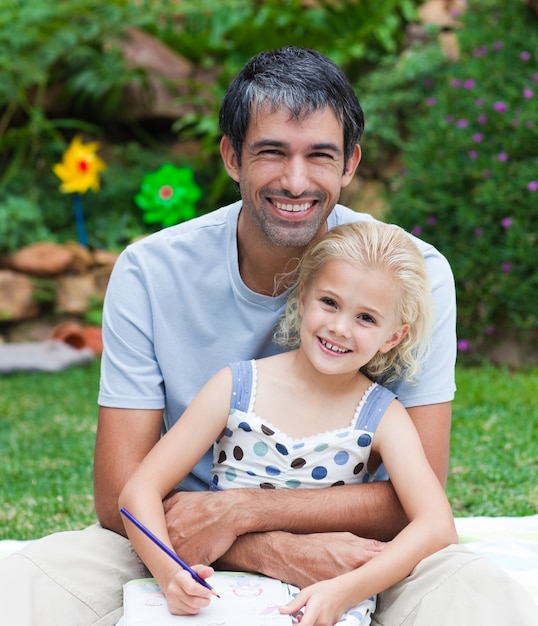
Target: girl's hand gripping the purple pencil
x=184, y=595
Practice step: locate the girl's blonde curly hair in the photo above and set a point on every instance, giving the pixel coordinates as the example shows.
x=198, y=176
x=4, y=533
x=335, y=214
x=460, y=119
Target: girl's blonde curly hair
x=370, y=245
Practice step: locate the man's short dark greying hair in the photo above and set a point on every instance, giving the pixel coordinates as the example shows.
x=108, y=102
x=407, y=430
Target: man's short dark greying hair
x=298, y=79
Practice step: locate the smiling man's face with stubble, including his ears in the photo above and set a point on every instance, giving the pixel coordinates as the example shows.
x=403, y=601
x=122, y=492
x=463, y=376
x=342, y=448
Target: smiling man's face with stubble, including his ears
x=291, y=174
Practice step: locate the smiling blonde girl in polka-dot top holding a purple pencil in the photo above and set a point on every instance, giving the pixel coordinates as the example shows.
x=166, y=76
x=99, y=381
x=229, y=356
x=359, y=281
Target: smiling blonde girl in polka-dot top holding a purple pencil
x=313, y=417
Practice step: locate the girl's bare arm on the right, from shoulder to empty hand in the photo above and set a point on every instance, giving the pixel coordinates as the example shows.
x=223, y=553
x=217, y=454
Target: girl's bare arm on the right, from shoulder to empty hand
x=430, y=529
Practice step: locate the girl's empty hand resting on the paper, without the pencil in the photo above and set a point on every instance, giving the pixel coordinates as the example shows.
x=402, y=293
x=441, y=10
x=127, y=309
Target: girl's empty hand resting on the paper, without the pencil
x=322, y=603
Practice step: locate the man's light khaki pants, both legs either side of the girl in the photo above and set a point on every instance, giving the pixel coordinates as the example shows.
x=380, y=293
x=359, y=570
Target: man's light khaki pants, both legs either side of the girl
x=75, y=579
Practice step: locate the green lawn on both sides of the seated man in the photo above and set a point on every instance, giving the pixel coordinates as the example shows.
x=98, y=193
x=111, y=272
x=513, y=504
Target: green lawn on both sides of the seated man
x=47, y=434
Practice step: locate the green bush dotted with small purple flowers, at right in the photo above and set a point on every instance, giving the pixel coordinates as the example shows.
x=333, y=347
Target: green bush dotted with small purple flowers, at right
x=469, y=183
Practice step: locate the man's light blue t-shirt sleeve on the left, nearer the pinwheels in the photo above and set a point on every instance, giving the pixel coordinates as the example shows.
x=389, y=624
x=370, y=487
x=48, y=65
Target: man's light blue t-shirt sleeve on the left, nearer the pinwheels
x=130, y=374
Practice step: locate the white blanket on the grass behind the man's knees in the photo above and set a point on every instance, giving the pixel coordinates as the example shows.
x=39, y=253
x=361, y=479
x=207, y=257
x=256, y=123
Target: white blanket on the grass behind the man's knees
x=510, y=542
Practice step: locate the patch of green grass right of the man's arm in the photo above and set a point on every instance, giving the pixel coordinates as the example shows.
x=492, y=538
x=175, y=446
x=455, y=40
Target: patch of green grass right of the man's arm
x=494, y=447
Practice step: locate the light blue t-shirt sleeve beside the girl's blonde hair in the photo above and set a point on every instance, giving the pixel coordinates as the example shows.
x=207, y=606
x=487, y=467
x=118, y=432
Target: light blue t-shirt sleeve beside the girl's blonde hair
x=436, y=380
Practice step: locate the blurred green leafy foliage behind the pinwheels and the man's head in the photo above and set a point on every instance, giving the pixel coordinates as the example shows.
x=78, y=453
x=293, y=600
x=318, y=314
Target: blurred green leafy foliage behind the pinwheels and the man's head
x=62, y=72
